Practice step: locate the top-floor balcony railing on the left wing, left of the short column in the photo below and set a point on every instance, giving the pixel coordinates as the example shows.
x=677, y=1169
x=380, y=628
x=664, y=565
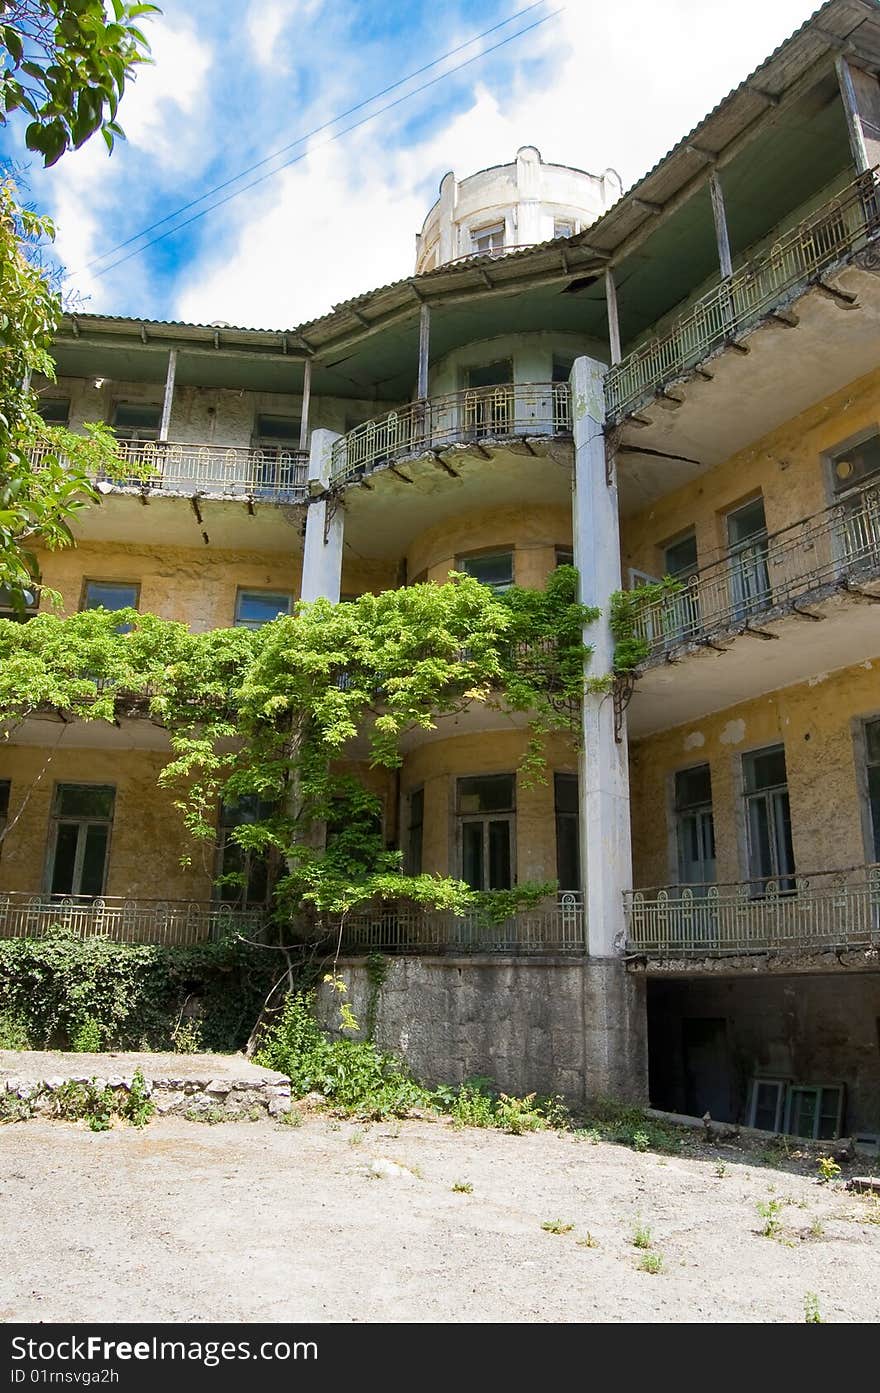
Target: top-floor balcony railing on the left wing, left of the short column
x=210, y=470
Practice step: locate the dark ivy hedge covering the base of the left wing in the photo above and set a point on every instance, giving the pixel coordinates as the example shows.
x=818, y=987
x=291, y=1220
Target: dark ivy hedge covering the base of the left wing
x=63, y=991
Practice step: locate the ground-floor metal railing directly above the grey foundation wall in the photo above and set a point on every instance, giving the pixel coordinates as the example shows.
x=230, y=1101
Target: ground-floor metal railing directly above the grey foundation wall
x=413, y=931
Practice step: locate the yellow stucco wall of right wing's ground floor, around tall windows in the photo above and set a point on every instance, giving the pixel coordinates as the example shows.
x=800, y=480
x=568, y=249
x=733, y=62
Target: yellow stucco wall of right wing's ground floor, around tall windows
x=818, y=724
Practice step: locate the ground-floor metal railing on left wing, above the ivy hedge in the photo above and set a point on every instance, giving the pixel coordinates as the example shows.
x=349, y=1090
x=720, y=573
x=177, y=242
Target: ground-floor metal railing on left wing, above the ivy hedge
x=173, y=923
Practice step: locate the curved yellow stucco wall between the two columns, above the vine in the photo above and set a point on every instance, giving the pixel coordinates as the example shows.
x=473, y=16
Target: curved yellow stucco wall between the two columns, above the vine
x=533, y=531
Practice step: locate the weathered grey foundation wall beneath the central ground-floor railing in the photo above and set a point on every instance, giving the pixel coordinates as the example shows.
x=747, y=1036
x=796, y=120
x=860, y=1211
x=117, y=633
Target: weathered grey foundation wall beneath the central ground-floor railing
x=548, y=1026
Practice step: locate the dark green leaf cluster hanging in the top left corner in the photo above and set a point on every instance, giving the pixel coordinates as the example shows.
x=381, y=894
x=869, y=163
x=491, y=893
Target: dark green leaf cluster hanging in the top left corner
x=66, y=65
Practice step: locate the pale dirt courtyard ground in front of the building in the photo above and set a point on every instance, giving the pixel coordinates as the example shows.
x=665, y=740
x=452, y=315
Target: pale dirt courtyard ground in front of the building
x=333, y=1221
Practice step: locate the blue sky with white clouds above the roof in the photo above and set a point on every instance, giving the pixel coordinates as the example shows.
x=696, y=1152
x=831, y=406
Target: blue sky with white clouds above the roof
x=592, y=83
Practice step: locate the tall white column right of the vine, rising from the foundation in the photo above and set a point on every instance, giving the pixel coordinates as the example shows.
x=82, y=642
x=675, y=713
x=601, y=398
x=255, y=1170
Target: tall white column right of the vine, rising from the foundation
x=606, y=857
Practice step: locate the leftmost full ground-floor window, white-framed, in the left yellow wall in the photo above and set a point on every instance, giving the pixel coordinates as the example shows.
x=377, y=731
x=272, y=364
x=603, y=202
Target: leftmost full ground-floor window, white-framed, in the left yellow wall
x=80, y=839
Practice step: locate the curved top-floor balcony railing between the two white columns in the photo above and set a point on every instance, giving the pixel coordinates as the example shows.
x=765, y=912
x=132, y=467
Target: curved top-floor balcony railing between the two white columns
x=457, y=419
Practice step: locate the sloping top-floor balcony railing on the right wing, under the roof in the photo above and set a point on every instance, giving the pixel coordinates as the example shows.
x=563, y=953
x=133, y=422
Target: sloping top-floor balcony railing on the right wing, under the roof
x=839, y=228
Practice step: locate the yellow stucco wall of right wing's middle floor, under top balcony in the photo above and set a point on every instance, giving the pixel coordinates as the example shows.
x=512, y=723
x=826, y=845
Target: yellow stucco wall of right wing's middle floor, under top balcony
x=786, y=466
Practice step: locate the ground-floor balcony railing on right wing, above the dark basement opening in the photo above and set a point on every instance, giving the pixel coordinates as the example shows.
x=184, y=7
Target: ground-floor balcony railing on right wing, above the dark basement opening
x=817, y=913
